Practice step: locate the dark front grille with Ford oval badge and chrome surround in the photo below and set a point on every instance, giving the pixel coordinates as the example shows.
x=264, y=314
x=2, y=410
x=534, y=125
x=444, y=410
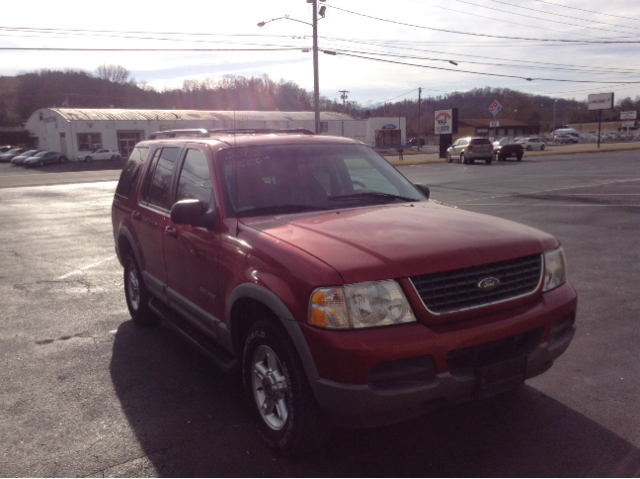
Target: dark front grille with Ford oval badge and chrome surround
x=456, y=290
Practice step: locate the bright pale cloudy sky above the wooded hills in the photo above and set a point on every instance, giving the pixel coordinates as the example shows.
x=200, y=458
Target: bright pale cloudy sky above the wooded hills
x=384, y=50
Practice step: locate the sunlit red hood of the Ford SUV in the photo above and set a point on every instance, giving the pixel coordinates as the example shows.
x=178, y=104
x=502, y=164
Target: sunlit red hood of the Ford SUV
x=396, y=241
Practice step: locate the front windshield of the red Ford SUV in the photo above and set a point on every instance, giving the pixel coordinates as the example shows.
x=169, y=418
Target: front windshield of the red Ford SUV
x=283, y=179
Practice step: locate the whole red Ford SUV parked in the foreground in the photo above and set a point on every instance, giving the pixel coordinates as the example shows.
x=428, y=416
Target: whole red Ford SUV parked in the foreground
x=337, y=288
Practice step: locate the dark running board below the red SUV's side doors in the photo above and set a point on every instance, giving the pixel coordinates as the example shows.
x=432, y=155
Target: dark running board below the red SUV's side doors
x=220, y=356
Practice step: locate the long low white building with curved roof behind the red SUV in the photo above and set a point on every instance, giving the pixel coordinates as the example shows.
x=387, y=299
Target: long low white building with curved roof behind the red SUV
x=71, y=130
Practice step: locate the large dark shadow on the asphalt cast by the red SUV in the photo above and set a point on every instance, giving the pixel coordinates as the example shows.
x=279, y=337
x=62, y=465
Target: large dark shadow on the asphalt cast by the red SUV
x=191, y=420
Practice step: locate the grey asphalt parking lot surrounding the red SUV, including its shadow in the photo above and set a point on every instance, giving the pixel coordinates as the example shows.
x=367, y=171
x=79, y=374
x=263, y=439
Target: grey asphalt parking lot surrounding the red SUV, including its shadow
x=87, y=393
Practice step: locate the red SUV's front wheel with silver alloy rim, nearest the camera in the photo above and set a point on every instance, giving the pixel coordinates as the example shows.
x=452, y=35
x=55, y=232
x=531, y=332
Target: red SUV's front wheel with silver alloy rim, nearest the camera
x=278, y=392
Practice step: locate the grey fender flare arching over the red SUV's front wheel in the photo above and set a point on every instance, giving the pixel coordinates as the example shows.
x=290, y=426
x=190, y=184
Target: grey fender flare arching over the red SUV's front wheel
x=269, y=299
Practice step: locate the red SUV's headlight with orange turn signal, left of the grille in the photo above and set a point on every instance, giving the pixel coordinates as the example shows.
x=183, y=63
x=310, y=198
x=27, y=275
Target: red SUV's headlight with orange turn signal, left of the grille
x=362, y=305
